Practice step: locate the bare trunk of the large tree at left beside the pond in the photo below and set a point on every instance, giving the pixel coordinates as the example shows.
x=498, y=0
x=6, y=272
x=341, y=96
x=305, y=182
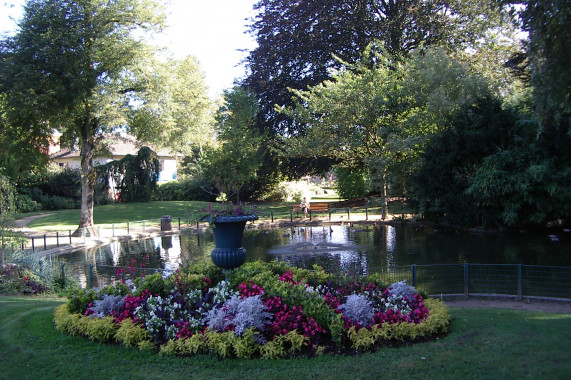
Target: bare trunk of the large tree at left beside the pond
x=87, y=189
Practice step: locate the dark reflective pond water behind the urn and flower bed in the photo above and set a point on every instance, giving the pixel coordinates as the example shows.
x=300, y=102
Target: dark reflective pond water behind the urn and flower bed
x=350, y=249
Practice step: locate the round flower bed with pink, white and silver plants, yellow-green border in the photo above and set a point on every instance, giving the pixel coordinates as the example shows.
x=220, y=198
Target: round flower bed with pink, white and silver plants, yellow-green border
x=267, y=310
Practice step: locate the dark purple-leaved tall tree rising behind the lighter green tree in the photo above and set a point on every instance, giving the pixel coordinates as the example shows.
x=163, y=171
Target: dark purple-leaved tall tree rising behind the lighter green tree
x=297, y=41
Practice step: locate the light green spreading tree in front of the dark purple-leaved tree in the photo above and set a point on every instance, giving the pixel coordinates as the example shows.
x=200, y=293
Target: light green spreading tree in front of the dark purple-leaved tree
x=379, y=113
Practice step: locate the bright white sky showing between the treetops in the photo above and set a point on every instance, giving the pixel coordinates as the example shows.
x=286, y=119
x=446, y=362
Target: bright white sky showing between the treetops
x=212, y=31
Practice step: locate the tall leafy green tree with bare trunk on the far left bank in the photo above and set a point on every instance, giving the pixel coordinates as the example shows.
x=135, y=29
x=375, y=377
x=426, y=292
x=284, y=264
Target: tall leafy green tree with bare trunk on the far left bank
x=82, y=67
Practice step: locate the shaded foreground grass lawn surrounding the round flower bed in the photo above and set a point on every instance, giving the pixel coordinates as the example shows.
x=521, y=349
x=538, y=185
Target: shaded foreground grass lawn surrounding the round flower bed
x=483, y=344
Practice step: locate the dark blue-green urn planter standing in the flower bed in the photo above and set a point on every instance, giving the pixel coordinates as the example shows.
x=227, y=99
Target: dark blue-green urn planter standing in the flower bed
x=228, y=232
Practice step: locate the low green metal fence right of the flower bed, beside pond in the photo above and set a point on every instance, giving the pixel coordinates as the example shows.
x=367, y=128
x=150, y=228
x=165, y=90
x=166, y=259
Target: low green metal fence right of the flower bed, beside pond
x=470, y=280
